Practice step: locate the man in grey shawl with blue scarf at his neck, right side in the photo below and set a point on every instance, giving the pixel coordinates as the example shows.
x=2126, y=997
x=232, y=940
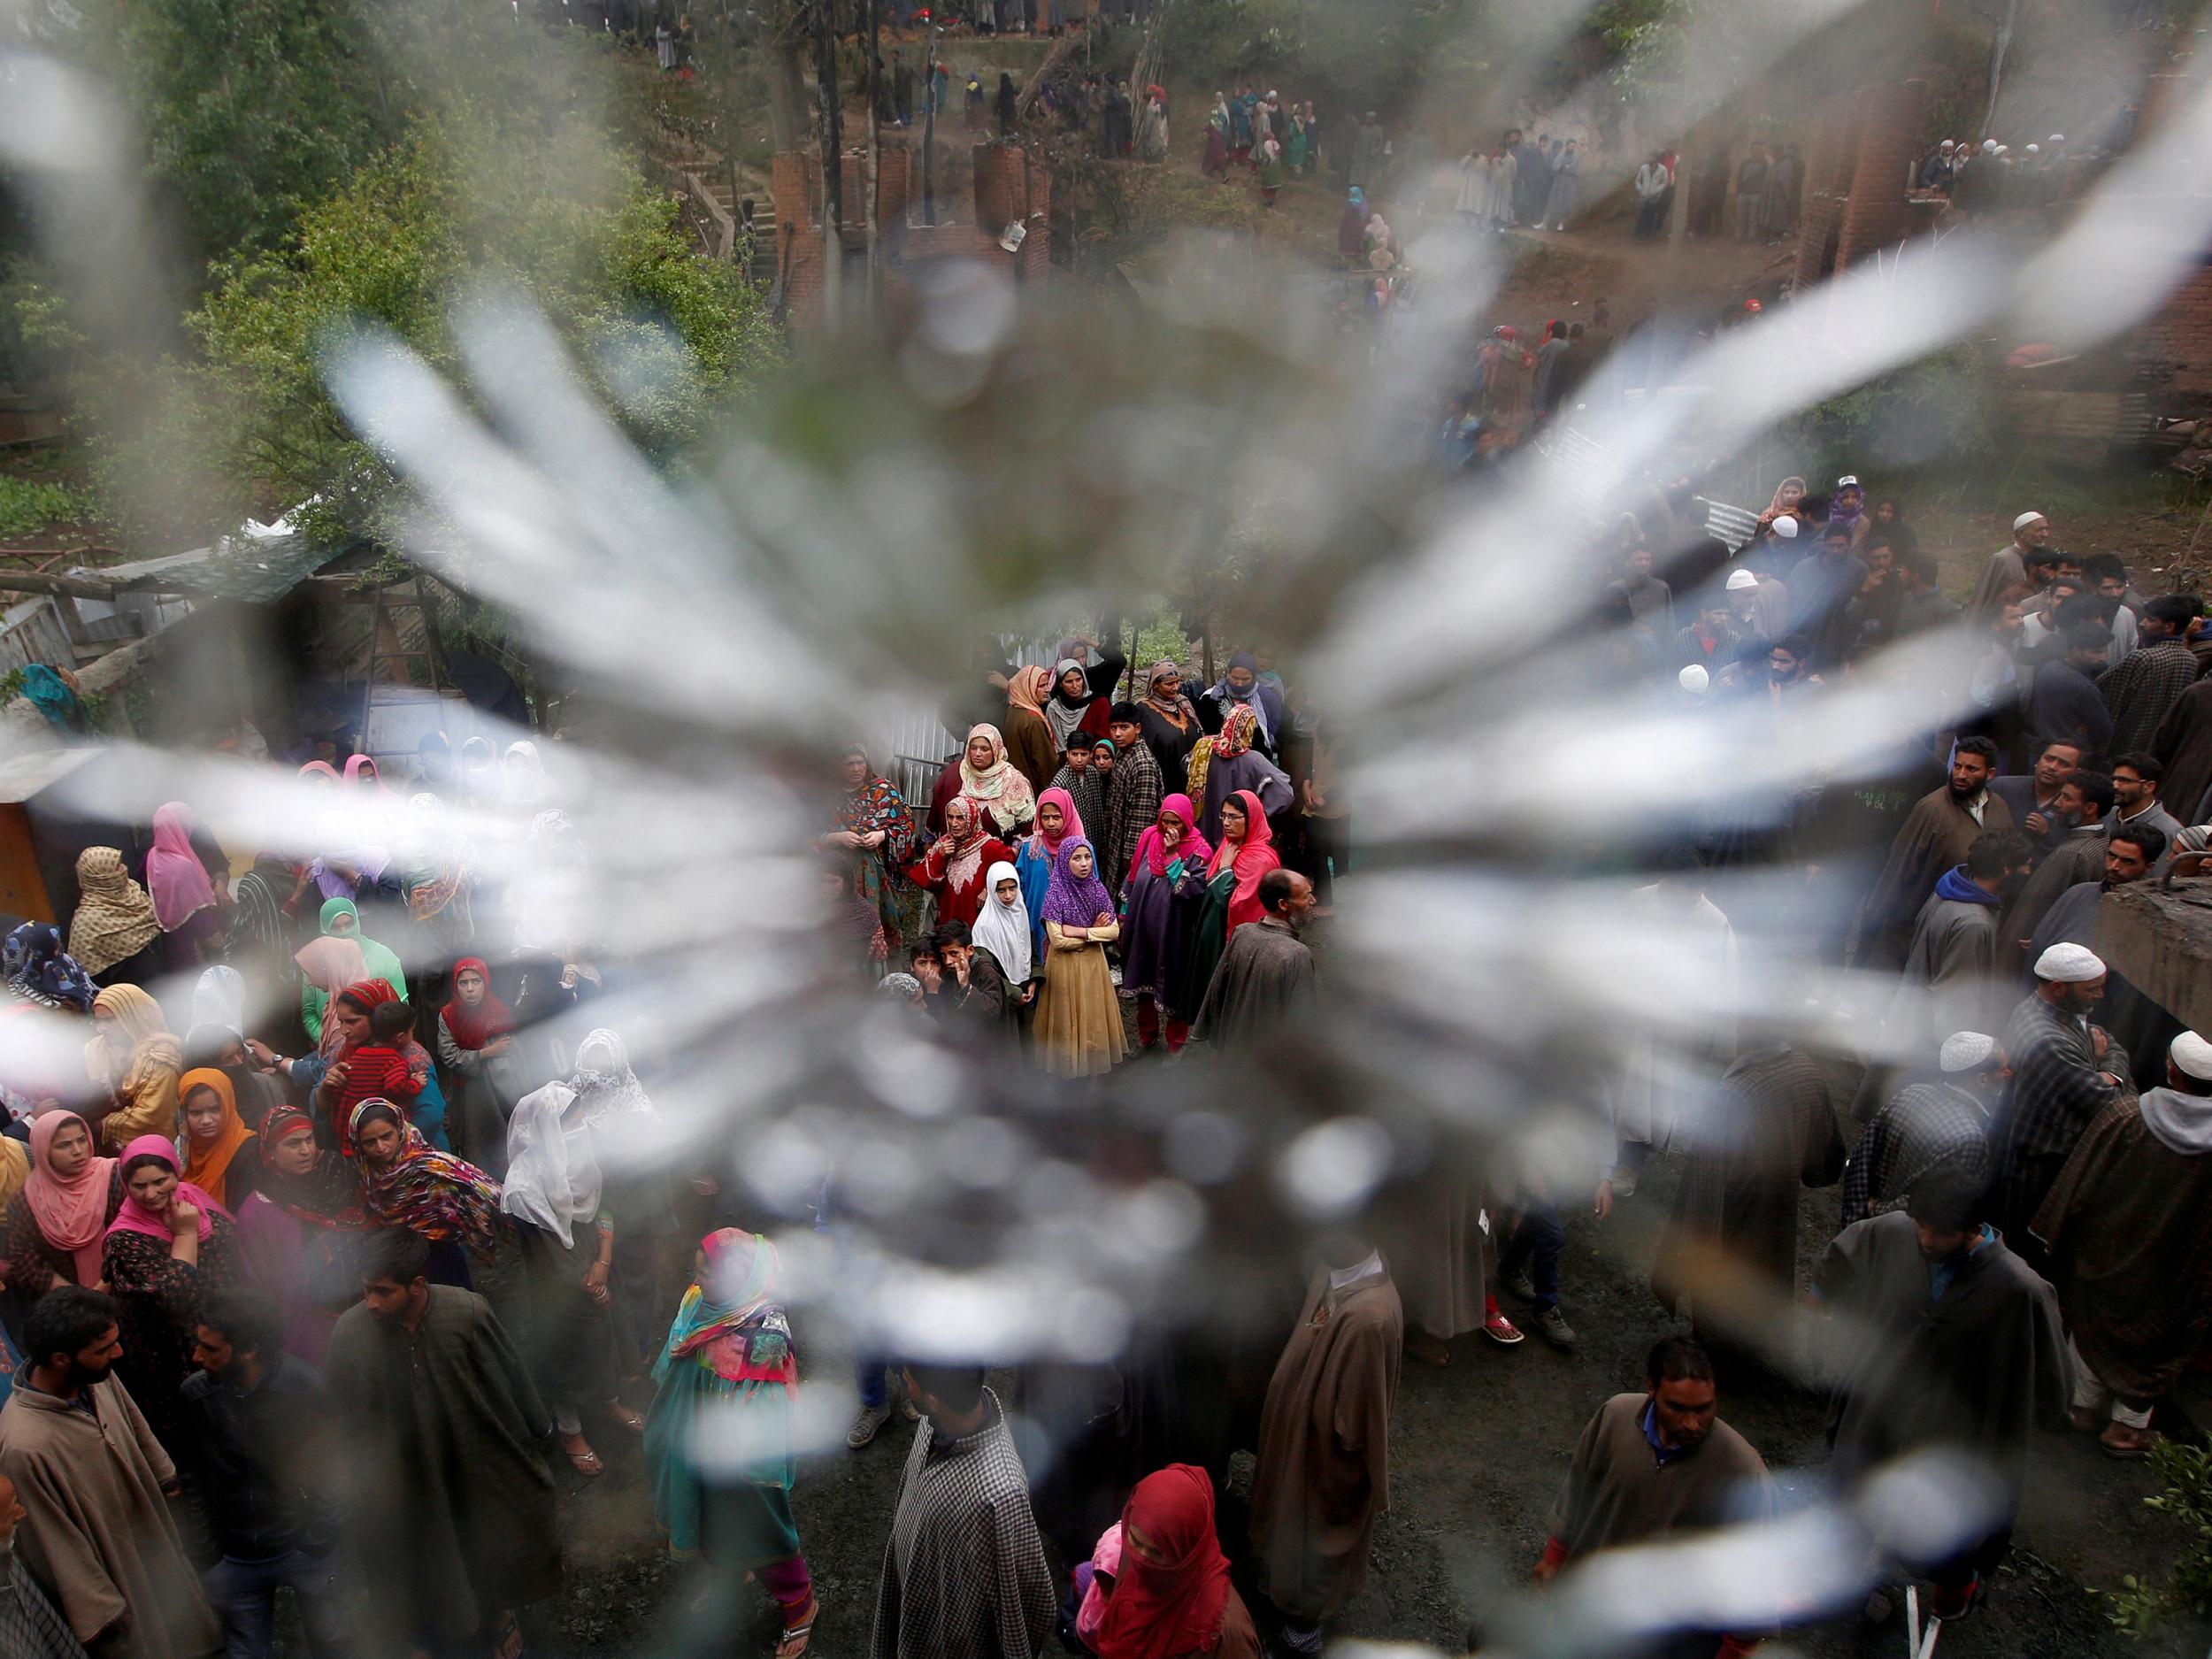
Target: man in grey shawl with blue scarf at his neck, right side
x=1950, y=968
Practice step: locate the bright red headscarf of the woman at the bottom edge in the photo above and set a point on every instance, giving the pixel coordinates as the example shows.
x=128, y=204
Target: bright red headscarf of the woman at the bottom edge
x=1176, y=1605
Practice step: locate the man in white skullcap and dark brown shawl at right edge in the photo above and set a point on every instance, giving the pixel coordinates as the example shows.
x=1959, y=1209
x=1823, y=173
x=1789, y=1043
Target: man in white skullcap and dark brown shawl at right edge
x=2129, y=1227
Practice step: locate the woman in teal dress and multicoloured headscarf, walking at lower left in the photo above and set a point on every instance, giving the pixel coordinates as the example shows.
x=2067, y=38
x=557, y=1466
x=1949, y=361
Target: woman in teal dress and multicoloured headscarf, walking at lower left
x=729, y=1377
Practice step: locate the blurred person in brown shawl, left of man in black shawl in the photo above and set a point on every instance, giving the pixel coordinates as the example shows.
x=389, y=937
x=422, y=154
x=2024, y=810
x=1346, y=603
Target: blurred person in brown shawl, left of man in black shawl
x=1731, y=1242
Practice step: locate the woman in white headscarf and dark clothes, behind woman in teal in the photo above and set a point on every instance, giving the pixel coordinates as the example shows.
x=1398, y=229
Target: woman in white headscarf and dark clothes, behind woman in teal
x=567, y=1238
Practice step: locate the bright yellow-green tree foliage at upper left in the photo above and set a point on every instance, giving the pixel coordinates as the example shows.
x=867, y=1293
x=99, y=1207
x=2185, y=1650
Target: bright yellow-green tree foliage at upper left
x=665, y=331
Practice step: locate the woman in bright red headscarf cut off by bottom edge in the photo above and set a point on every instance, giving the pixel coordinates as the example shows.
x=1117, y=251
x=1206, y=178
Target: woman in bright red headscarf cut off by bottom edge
x=1167, y=1589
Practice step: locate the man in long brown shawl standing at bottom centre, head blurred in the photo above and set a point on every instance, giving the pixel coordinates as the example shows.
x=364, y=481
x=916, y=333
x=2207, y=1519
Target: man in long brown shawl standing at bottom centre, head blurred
x=1324, y=1441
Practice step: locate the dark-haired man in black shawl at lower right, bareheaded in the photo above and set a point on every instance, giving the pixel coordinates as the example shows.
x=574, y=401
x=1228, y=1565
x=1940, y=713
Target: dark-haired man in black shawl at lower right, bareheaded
x=1943, y=1342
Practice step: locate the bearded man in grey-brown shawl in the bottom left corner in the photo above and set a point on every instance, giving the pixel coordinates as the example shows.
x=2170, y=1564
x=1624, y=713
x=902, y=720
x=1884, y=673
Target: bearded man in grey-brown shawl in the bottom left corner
x=94, y=1488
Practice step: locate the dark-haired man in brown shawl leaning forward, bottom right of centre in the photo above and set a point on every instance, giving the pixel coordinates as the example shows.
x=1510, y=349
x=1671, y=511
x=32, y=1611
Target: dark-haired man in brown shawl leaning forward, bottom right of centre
x=1653, y=1465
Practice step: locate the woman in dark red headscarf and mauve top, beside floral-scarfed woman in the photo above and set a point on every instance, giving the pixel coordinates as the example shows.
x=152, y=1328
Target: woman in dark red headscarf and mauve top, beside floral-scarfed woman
x=300, y=1233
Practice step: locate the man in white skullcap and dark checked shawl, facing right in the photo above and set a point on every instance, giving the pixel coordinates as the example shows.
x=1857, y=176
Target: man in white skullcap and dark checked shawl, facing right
x=2065, y=1074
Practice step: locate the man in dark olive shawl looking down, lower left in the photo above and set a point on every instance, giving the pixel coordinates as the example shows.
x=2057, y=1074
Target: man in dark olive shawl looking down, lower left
x=448, y=1492
